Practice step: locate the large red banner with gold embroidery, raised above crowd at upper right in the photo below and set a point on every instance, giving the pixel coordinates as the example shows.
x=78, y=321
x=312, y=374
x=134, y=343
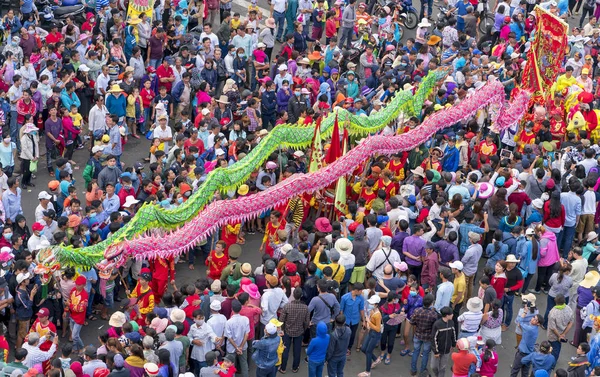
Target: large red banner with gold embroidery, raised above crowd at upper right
x=544, y=58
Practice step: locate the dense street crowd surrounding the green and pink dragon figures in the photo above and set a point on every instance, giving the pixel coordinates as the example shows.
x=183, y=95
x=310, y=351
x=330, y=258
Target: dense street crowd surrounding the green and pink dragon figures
x=434, y=248
